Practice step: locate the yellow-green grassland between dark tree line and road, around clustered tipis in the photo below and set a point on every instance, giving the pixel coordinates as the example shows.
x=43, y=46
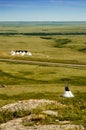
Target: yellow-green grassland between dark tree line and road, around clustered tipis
x=44, y=49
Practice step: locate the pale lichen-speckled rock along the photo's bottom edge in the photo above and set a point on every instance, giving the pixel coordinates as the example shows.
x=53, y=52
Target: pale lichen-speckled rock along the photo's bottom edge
x=18, y=125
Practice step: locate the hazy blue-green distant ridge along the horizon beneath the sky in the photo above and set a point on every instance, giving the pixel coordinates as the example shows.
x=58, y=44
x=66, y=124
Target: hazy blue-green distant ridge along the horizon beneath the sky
x=35, y=23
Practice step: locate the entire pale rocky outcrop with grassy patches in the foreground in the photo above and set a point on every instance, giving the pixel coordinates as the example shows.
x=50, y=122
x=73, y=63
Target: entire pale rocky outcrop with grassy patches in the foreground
x=35, y=120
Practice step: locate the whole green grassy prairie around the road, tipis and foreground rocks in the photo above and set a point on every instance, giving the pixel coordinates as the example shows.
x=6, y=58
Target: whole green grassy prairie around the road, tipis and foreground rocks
x=26, y=81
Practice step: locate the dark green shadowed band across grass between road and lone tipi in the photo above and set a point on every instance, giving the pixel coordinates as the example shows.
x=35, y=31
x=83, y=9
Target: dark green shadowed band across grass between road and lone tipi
x=10, y=79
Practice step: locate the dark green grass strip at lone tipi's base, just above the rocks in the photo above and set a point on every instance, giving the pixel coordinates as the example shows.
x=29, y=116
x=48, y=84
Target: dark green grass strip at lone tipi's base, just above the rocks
x=79, y=97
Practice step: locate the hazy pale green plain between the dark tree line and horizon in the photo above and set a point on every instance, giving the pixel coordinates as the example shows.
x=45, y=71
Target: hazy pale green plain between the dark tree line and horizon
x=42, y=27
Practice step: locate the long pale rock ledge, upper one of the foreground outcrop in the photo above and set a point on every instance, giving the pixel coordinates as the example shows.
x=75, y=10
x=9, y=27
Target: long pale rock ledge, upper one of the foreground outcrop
x=27, y=105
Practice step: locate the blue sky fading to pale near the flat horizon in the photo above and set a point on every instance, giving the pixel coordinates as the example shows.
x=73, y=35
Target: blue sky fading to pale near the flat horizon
x=42, y=10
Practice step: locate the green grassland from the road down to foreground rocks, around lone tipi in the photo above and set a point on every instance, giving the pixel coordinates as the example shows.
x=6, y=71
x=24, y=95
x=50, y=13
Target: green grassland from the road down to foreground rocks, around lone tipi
x=25, y=82
